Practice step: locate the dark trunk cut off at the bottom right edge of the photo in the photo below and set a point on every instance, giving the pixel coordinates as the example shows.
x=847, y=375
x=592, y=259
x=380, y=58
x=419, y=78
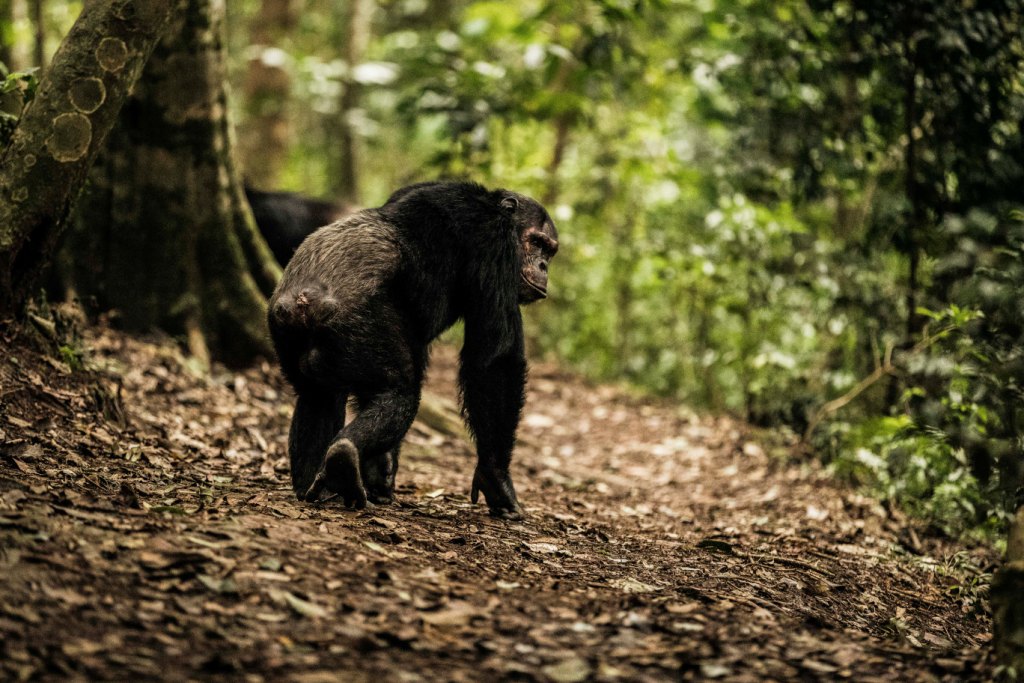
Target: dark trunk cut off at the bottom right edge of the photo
x=1008, y=600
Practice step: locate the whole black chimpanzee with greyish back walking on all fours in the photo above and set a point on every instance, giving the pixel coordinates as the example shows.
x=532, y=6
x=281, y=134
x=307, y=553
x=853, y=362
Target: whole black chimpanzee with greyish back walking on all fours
x=358, y=308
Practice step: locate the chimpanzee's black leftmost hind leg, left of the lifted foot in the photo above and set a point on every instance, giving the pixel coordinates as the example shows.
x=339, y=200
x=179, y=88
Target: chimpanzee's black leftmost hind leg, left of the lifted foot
x=319, y=416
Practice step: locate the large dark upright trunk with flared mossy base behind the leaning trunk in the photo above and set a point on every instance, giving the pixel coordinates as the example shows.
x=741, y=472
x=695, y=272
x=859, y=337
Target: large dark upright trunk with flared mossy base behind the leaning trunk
x=166, y=237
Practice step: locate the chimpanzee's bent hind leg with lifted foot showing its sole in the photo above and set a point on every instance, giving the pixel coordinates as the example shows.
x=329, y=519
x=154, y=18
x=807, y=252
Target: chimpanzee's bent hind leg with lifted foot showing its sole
x=369, y=442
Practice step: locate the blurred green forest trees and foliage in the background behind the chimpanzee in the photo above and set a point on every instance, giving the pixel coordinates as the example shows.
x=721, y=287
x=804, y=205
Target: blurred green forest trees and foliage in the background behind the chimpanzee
x=762, y=204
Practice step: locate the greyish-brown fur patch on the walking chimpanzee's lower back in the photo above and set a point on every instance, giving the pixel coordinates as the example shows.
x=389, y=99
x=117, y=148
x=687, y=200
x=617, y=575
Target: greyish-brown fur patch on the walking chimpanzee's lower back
x=346, y=264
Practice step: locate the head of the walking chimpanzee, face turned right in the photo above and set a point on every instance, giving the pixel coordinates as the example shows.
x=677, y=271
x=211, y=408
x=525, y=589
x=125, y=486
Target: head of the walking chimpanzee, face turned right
x=538, y=245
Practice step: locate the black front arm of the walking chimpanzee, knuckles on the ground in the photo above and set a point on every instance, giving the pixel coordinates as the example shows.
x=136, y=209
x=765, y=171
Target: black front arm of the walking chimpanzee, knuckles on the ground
x=493, y=380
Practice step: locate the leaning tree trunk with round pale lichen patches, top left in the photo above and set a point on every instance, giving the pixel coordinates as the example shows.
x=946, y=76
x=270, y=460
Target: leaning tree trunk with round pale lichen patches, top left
x=63, y=131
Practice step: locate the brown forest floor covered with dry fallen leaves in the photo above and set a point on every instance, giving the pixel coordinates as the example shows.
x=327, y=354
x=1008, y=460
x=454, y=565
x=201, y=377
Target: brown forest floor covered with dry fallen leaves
x=148, y=531
